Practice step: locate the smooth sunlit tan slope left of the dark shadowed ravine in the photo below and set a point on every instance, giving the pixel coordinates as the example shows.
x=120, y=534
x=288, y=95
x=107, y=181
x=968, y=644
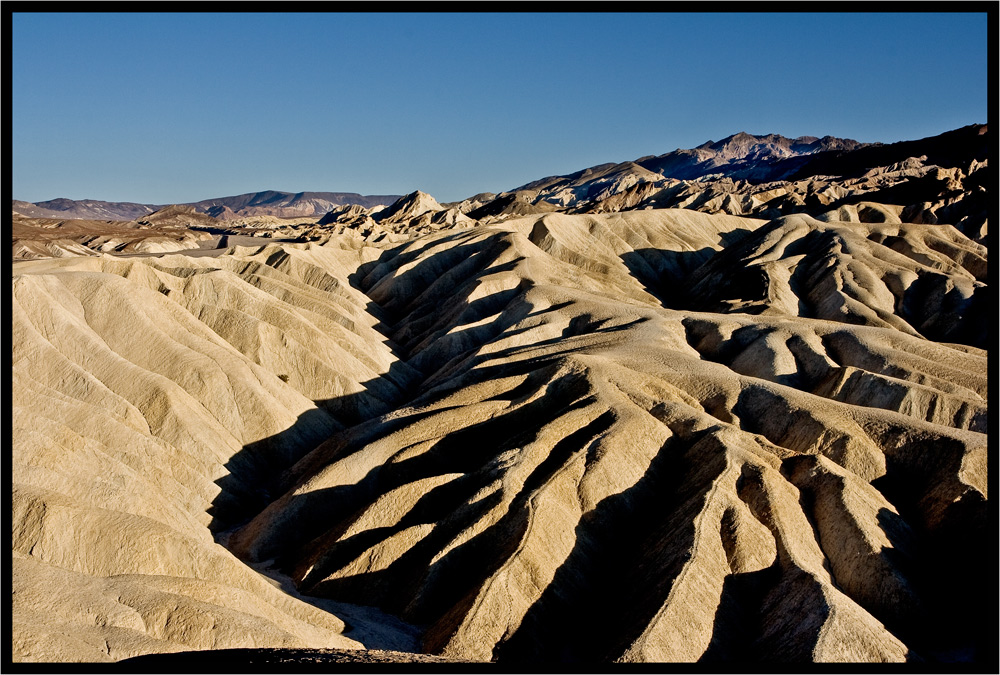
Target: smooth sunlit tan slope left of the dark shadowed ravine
x=140, y=388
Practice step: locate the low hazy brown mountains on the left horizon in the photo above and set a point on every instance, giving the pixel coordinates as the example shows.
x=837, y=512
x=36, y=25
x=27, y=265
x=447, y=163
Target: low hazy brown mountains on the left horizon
x=266, y=203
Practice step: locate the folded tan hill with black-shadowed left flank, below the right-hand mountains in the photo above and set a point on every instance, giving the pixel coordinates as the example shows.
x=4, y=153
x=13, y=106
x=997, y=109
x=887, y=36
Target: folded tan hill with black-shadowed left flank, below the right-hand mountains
x=919, y=279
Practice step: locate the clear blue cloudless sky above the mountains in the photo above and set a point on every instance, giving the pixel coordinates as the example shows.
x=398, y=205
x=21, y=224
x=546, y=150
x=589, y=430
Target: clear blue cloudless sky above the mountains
x=165, y=108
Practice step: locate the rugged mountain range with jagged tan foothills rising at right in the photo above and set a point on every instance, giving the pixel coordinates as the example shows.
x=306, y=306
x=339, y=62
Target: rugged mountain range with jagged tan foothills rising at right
x=939, y=179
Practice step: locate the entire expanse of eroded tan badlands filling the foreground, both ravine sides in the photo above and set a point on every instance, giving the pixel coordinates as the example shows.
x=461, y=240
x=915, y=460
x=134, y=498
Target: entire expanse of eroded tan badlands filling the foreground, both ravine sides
x=654, y=435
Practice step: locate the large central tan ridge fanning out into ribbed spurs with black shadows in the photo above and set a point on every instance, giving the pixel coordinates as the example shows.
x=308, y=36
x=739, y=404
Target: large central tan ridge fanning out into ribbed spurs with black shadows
x=511, y=505
